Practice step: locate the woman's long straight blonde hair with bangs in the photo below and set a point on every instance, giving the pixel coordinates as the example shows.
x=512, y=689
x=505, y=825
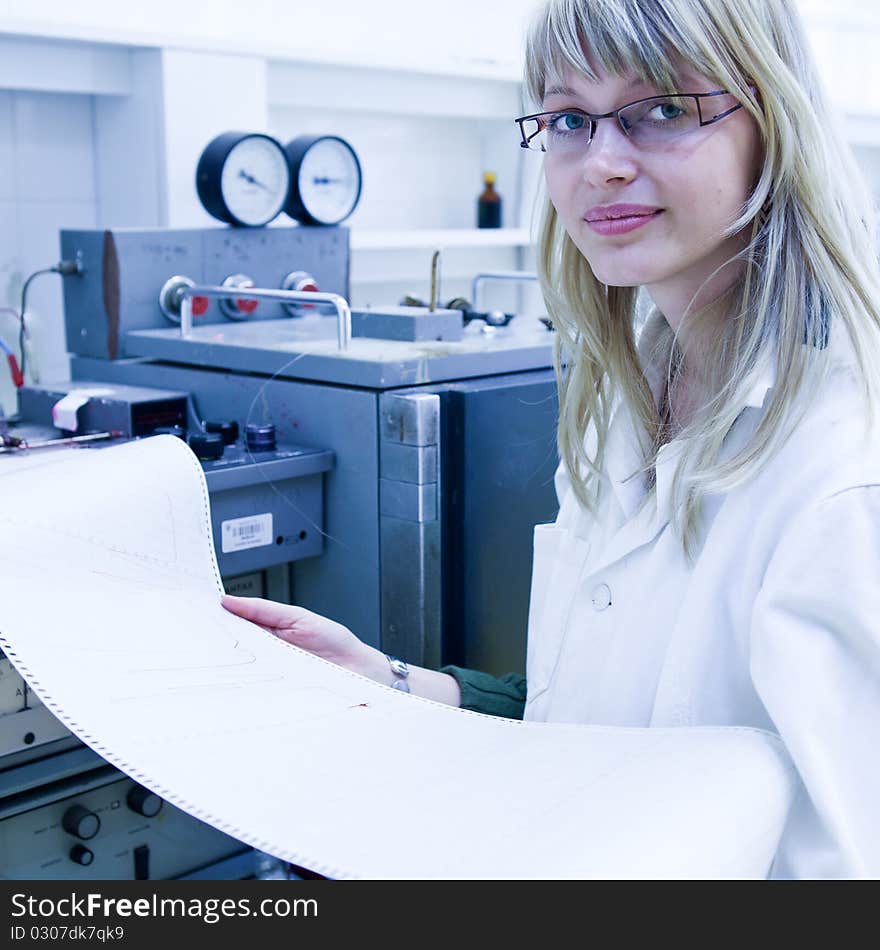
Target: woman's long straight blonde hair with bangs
x=810, y=260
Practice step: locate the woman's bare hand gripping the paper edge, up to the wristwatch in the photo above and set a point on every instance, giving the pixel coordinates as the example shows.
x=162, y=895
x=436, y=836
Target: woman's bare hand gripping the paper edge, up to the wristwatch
x=325, y=638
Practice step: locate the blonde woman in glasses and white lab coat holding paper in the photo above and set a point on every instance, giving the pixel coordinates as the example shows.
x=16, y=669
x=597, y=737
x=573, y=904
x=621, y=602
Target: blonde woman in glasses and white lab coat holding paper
x=716, y=558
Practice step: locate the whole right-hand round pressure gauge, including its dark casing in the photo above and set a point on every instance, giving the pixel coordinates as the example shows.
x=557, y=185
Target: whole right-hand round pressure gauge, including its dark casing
x=325, y=179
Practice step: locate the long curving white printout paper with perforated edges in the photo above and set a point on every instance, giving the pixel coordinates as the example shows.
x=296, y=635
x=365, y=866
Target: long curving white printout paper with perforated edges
x=110, y=608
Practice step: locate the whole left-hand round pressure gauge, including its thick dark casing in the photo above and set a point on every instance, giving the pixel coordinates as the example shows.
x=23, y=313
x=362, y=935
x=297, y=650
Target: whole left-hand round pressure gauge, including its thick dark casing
x=243, y=178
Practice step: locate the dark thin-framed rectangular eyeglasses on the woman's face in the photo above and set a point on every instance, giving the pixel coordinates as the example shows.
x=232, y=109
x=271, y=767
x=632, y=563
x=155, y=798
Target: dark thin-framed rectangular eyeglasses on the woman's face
x=650, y=123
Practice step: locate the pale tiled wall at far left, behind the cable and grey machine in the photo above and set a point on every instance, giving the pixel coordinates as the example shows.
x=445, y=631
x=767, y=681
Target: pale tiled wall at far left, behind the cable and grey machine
x=47, y=182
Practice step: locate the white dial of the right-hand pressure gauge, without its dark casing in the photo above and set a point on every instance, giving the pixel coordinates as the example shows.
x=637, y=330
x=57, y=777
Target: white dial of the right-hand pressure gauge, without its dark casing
x=329, y=180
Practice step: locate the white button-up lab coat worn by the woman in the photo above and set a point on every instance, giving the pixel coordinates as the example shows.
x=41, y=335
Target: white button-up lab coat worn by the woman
x=775, y=625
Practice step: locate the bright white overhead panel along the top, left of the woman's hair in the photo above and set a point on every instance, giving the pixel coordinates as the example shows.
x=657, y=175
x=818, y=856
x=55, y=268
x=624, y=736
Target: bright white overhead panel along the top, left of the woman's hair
x=465, y=39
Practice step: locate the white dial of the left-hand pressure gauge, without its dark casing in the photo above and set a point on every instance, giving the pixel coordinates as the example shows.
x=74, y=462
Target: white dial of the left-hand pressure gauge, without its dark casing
x=255, y=180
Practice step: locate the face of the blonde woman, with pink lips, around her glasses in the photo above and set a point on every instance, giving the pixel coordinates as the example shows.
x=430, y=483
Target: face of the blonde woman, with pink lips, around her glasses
x=685, y=192
